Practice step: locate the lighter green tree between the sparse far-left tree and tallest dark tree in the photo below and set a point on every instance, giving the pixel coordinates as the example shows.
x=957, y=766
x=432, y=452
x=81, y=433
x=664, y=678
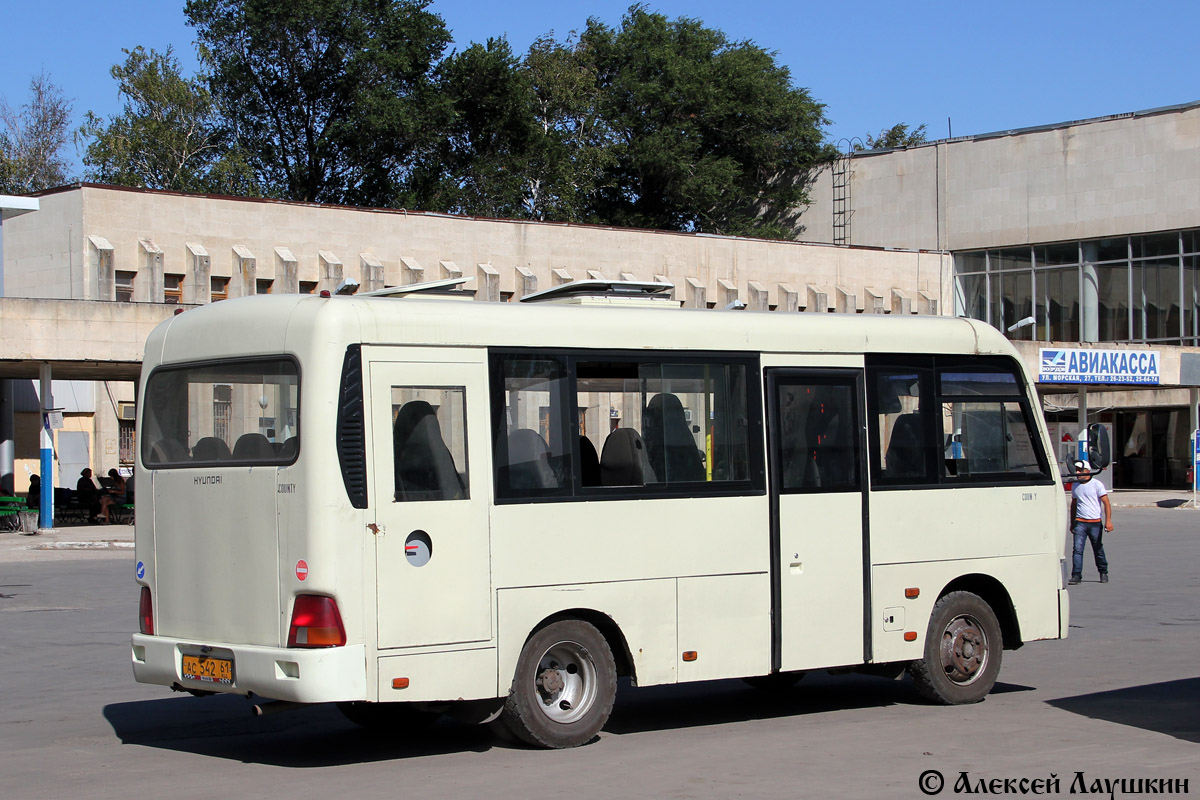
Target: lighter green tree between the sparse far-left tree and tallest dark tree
x=169, y=136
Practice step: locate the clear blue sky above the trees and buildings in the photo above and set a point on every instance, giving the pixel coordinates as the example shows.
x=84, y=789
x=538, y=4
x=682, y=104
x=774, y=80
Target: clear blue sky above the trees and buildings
x=958, y=68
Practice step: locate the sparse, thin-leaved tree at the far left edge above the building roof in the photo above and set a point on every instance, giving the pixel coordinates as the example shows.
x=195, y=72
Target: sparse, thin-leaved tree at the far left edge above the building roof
x=33, y=139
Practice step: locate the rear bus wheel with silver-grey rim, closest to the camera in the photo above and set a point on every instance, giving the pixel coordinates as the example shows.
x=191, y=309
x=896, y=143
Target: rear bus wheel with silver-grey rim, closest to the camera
x=565, y=687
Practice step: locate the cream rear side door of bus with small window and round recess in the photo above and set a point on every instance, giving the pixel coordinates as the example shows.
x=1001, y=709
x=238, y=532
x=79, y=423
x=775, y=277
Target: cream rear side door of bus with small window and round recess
x=430, y=491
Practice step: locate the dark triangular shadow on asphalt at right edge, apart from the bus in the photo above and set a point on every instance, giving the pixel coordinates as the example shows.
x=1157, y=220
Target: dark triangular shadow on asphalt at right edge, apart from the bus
x=1168, y=708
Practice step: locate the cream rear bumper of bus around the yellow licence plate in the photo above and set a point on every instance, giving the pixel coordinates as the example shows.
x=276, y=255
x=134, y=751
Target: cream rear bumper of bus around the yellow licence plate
x=301, y=676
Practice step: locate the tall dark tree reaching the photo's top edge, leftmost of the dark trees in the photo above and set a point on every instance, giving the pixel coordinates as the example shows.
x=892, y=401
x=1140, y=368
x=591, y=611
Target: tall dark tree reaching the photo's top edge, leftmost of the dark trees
x=329, y=99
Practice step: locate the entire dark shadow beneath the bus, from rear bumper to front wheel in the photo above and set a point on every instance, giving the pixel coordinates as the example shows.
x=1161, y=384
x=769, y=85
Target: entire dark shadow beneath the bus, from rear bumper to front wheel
x=319, y=736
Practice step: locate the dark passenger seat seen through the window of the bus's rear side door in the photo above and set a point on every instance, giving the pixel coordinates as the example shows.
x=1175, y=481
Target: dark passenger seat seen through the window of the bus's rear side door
x=424, y=467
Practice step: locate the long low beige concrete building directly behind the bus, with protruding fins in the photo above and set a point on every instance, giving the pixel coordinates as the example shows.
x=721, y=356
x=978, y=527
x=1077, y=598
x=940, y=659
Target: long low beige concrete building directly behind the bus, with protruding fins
x=104, y=263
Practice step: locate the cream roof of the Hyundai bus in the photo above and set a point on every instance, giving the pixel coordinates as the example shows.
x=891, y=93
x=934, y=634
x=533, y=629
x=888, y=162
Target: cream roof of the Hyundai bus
x=273, y=324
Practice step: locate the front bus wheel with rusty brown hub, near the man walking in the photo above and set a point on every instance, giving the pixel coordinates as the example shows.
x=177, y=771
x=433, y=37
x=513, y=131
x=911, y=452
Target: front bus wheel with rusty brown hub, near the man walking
x=963, y=652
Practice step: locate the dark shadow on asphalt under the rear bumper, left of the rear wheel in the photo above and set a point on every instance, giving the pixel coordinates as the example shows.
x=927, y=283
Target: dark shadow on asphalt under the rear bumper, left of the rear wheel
x=309, y=737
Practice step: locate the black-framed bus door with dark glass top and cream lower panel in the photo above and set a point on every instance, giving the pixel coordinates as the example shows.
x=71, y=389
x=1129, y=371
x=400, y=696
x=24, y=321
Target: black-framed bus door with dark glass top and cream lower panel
x=819, y=560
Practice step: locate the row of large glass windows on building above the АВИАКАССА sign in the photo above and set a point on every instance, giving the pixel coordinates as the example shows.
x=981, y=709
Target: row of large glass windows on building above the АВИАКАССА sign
x=1142, y=288
